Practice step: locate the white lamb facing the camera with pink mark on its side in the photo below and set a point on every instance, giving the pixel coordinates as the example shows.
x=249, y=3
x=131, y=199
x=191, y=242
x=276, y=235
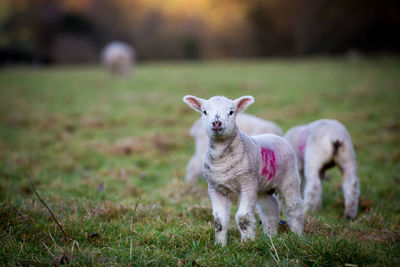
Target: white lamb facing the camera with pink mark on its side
x=254, y=166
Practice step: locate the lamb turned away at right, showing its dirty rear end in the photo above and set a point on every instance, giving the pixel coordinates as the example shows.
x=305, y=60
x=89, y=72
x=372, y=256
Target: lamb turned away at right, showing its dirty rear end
x=319, y=146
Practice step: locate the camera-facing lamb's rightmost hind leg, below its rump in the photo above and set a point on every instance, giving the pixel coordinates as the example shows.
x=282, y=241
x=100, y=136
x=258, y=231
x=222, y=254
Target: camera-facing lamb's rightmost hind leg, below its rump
x=292, y=201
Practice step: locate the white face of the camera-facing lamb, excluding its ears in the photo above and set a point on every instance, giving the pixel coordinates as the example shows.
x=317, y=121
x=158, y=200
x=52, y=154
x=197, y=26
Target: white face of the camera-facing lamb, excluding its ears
x=219, y=116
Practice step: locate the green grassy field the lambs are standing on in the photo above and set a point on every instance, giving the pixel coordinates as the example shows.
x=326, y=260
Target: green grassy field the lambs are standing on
x=93, y=145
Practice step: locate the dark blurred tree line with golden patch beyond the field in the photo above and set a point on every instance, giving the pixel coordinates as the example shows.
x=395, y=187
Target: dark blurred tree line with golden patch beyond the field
x=74, y=31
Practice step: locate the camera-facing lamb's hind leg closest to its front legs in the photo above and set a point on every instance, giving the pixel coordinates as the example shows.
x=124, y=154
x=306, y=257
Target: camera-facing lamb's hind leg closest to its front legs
x=268, y=209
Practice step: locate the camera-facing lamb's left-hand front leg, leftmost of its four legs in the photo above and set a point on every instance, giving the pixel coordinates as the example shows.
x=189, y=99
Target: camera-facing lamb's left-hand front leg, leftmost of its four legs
x=221, y=206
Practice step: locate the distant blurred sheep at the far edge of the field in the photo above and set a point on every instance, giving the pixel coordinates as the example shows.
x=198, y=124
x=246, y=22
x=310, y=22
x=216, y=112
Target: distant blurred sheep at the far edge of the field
x=118, y=57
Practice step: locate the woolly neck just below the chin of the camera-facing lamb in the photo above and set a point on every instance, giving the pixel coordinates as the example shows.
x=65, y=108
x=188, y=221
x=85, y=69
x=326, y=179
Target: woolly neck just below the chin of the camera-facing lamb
x=219, y=150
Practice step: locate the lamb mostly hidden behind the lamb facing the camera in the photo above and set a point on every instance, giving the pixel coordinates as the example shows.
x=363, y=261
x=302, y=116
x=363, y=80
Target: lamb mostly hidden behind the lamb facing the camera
x=250, y=125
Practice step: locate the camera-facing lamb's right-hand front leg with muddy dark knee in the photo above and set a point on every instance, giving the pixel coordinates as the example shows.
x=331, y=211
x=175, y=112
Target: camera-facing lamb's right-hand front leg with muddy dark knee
x=245, y=215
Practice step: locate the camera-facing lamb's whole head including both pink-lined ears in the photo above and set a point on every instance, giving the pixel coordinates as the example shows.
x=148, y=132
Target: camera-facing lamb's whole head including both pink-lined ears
x=219, y=113
